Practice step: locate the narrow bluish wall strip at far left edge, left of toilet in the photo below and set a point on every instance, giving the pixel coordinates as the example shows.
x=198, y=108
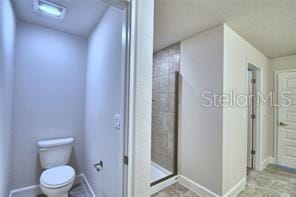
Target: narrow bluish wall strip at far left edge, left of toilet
x=7, y=40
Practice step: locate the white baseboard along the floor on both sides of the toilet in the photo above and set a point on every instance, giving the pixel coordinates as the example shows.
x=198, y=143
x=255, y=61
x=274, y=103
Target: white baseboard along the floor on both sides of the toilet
x=35, y=190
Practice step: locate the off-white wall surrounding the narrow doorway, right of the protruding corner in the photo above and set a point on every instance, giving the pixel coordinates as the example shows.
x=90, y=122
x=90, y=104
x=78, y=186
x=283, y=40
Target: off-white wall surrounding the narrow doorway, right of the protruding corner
x=236, y=53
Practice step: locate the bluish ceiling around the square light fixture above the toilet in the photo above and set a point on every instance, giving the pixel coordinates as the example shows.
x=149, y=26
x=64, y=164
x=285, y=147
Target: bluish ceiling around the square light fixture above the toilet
x=81, y=18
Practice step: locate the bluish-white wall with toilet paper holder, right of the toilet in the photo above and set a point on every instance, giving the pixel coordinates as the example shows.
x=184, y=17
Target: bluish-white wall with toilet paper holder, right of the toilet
x=103, y=100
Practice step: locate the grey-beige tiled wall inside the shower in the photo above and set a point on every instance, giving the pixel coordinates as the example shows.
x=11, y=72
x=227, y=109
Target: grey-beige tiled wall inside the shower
x=165, y=63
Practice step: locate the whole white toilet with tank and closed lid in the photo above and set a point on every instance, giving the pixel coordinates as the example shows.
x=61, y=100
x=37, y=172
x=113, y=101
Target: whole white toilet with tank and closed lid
x=58, y=177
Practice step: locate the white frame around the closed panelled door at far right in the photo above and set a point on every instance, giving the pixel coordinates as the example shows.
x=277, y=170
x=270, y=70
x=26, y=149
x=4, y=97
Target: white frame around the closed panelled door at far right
x=275, y=115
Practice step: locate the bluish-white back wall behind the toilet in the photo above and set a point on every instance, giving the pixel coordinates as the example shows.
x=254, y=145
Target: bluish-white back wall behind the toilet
x=49, y=89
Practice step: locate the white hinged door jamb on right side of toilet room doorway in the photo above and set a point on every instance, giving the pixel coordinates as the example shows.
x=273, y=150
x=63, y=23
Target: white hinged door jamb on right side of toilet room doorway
x=126, y=104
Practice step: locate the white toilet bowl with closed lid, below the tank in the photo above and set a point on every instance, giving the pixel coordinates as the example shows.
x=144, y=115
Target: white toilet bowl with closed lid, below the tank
x=57, y=181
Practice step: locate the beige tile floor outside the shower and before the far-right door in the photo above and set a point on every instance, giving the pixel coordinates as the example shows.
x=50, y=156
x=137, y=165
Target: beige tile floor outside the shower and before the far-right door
x=273, y=181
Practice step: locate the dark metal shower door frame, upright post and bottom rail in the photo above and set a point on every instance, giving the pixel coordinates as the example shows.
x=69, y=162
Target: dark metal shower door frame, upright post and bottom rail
x=176, y=125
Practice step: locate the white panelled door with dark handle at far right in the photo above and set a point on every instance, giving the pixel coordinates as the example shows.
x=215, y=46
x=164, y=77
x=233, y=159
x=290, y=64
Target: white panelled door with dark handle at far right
x=287, y=119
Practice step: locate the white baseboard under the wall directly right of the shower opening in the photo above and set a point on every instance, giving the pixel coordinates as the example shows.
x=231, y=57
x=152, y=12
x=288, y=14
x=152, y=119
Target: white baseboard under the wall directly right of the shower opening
x=195, y=187
